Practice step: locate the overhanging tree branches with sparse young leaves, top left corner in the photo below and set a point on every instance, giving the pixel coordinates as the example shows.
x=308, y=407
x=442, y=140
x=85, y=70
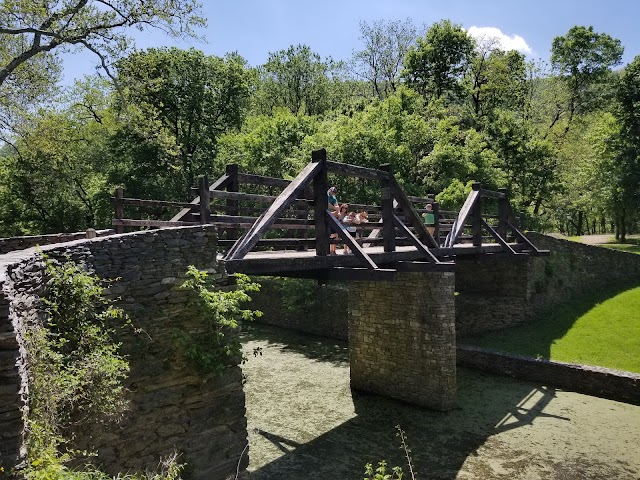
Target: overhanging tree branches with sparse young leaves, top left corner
x=34, y=32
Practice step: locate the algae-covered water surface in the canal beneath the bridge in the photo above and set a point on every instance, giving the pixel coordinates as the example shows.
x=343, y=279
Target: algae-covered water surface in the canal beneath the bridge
x=304, y=423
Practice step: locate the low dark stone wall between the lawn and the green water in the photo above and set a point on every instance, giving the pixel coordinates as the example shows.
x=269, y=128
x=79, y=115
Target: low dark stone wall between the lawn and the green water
x=596, y=381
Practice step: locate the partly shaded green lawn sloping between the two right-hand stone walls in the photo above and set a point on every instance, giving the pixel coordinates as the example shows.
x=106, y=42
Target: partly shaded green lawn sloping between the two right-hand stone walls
x=601, y=330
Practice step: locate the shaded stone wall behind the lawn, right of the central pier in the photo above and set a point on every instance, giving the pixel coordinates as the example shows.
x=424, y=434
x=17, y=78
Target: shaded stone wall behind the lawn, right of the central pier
x=498, y=291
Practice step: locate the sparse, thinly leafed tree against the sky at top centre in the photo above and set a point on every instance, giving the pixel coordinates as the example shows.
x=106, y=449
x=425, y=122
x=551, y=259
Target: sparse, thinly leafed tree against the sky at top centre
x=385, y=46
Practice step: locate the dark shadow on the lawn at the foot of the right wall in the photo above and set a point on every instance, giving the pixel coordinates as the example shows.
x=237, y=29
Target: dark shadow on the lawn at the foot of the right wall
x=536, y=338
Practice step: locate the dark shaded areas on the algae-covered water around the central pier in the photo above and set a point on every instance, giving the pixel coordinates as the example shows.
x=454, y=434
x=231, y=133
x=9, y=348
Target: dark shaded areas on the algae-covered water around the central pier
x=441, y=442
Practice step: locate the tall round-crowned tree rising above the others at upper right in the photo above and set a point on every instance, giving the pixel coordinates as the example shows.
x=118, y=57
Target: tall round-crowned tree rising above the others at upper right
x=584, y=57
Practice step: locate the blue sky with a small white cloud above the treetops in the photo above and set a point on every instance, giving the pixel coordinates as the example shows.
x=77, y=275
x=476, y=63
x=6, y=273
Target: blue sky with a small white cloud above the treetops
x=254, y=28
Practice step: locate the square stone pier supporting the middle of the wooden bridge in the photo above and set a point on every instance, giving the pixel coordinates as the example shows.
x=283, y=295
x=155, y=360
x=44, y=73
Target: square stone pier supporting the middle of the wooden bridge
x=402, y=338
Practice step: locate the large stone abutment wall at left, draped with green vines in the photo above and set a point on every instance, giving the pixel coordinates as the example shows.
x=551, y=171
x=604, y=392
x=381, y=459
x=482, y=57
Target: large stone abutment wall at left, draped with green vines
x=172, y=406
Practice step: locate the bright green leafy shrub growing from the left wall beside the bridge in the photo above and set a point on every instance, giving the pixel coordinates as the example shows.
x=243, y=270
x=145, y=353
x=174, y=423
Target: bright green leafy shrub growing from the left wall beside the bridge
x=218, y=346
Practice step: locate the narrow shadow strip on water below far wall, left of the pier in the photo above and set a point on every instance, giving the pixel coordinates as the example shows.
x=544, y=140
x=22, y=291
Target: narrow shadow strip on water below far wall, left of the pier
x=314, y=347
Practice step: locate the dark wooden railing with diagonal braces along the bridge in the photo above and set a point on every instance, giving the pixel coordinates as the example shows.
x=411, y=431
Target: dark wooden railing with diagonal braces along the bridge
x=301, y=221
